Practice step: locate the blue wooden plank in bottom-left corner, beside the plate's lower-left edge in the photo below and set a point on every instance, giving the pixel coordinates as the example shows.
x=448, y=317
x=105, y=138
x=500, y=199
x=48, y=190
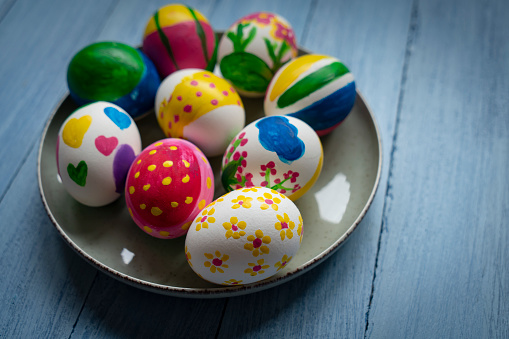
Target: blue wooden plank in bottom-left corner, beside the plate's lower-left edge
x=44, y=283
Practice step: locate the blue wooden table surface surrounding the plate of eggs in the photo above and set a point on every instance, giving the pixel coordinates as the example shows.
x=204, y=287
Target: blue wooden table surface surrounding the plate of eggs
x=430, y=259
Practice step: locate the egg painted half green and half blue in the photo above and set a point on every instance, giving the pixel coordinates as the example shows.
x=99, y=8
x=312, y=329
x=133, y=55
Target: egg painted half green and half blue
x=113, y=72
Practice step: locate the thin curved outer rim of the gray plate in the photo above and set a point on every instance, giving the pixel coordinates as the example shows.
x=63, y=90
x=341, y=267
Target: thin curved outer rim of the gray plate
x=212, y=292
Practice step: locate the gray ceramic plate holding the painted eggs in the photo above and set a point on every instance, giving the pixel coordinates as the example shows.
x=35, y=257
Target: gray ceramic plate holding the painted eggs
x=108, y=239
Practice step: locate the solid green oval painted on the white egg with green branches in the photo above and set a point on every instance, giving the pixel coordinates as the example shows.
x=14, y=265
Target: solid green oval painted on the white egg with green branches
x=246, y=71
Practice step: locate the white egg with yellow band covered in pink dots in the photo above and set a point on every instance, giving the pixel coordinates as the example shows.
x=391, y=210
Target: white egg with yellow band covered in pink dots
x=201, y=107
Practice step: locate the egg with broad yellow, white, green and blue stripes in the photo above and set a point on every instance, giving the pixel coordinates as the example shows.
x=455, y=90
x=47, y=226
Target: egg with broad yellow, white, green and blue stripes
x=315, y=88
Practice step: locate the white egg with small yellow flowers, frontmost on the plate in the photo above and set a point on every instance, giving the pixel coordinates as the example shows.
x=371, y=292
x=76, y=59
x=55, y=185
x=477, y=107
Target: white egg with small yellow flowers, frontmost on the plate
x=245, y=236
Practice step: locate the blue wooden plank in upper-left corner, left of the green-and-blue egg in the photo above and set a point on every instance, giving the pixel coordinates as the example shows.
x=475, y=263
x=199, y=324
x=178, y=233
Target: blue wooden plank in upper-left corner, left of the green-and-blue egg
x=36, y=49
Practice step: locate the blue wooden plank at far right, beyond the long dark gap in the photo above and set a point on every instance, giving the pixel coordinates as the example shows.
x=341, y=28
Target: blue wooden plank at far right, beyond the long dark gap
x=443, y=259
